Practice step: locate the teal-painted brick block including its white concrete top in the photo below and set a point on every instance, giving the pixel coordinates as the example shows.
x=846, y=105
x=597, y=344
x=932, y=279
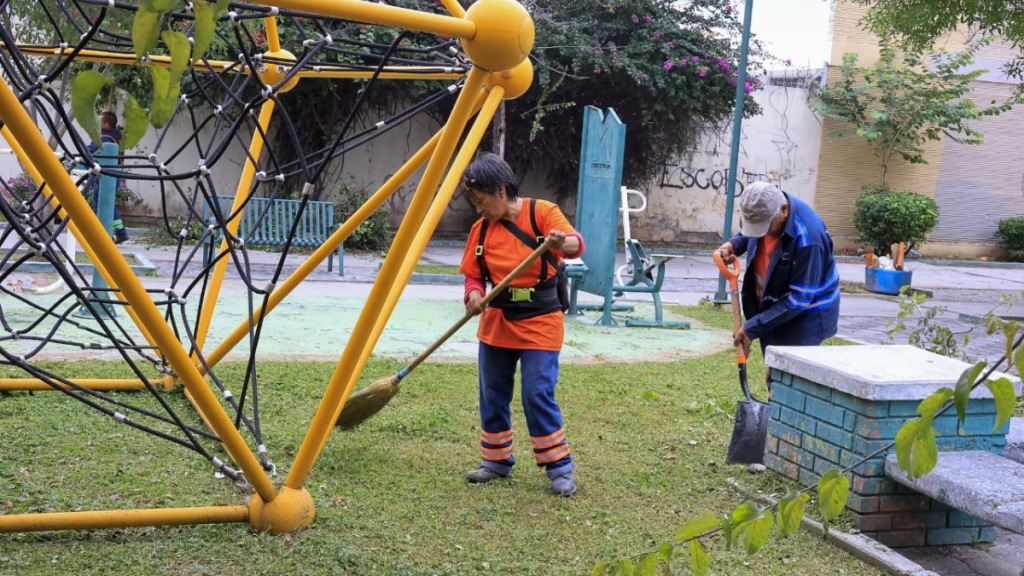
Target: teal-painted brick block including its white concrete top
x=834, y=405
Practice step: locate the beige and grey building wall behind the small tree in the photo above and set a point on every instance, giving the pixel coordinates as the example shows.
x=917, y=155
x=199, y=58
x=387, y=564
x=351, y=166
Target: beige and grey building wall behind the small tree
x=974, y=186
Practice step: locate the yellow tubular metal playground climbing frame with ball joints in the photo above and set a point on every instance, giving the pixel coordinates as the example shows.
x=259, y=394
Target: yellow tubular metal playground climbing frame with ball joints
x=497, y=36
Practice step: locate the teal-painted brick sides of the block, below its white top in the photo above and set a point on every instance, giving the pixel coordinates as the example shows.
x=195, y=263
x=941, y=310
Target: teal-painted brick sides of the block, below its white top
x=815, y=429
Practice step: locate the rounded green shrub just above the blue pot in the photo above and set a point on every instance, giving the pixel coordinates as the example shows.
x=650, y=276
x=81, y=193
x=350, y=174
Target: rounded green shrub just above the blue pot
x=884, y=218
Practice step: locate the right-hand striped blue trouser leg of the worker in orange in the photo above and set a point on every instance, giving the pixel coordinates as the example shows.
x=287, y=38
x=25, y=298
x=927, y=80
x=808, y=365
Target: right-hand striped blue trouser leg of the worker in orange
x=540, y=376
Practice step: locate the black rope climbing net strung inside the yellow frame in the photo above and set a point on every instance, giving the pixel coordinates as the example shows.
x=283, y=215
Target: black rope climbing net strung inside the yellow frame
x=220, y=104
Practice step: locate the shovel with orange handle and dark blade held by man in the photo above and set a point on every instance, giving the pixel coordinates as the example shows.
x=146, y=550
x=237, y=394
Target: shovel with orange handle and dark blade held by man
x=751, y=431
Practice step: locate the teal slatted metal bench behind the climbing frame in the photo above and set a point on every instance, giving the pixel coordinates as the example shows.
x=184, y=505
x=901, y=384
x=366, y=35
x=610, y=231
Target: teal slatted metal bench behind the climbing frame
x=268, y=223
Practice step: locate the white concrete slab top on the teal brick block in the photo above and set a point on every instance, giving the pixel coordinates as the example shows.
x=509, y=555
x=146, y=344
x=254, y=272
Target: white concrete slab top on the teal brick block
x=876, y=373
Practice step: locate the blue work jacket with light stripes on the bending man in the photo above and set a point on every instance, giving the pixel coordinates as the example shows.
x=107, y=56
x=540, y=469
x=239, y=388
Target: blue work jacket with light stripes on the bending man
x=800, y=305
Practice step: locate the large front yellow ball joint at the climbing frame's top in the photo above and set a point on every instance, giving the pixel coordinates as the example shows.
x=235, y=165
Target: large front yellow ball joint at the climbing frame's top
x=504, y=34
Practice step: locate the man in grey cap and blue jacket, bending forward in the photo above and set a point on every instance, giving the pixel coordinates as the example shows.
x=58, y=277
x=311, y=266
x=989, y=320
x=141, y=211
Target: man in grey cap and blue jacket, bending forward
x=791, y=287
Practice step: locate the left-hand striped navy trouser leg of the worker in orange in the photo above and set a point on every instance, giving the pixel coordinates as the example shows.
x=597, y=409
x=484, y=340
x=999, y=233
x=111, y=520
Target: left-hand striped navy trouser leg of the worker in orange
x=497, y=367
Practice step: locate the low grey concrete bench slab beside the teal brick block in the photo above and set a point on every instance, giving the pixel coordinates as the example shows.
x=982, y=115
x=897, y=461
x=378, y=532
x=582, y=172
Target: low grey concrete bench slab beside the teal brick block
x=982, y=484
